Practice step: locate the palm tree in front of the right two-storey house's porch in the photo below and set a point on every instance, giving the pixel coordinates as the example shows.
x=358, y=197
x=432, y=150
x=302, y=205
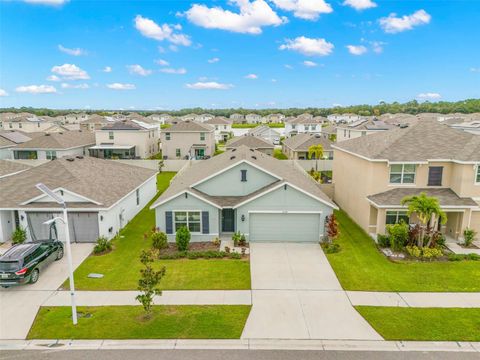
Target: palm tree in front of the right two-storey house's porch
x=428, y=211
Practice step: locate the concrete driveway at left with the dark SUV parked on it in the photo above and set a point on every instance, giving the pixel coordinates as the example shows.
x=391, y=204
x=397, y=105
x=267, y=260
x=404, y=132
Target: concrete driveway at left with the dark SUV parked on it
x=19, y=304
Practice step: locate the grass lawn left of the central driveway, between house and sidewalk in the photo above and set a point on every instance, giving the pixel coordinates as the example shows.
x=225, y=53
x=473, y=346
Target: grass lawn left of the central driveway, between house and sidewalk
x=121, y=267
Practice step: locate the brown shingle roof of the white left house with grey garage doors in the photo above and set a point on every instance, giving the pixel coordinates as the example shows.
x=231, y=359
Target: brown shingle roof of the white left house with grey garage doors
x=102, y=181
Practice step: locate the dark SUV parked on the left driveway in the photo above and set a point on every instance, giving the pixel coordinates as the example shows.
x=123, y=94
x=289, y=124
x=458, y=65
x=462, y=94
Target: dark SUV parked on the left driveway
x=23, y=263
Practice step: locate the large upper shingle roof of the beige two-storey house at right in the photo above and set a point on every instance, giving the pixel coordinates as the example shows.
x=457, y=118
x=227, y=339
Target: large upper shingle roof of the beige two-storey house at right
x=426, y=140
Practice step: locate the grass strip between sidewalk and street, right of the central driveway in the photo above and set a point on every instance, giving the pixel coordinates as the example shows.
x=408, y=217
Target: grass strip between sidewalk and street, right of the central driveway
x=424, y=324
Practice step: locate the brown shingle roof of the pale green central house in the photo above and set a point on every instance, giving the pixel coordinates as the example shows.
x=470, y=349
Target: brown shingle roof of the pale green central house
x=286, y=172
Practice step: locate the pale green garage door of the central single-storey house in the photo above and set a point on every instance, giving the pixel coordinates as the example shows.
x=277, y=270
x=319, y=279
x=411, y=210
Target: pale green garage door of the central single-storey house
x=287, y=227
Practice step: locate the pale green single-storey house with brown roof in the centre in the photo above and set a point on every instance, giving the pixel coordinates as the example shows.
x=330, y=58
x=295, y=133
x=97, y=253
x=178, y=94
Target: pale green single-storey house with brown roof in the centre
x=247, y=191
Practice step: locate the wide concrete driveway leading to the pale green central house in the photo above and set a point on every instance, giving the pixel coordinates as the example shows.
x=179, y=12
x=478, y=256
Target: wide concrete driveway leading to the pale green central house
x=296, y=295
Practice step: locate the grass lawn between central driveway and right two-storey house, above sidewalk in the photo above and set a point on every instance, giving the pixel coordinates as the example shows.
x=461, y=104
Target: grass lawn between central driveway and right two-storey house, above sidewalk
x=360, y=266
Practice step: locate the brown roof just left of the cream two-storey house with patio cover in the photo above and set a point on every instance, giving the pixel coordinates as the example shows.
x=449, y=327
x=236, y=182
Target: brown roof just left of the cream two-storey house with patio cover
x=60, y=140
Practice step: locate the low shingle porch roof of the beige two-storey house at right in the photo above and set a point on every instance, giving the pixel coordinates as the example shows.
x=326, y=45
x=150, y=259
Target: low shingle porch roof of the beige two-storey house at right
x=446, y=197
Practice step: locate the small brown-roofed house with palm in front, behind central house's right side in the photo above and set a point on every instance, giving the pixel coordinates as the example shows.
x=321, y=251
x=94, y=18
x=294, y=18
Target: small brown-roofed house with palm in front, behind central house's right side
x=296, y=147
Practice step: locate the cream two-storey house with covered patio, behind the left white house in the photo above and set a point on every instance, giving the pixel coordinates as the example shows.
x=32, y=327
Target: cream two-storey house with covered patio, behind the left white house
x=126, y=139
